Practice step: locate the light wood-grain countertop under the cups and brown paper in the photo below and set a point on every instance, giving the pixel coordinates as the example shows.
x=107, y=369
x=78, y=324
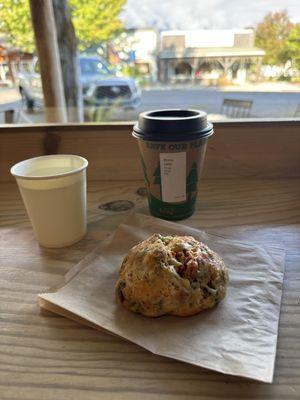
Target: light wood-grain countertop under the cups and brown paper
x=44, y=356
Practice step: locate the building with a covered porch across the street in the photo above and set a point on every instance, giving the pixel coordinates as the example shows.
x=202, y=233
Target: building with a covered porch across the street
x=208, y=55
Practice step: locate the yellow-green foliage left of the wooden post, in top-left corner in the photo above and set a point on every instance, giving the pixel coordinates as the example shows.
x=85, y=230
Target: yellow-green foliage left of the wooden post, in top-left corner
x=15, y=23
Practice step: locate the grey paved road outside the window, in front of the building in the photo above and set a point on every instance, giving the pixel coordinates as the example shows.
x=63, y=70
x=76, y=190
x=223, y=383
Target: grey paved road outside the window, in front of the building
x=265, y=104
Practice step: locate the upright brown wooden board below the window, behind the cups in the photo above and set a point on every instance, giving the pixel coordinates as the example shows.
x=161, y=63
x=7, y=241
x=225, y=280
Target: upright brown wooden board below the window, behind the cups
x=251, y=149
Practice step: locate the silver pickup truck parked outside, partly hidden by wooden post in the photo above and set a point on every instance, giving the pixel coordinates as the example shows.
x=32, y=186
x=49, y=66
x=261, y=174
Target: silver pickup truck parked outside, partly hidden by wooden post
x=100, y=85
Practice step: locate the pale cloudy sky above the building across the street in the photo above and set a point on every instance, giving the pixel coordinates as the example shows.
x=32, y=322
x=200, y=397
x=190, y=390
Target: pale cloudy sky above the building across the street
x=203, y=14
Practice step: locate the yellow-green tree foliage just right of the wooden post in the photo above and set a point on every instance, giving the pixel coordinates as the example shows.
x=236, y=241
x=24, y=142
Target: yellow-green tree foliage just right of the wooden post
x=95, y=21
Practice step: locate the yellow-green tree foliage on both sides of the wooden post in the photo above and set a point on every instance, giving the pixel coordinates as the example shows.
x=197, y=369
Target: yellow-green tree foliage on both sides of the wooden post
x=95, y=21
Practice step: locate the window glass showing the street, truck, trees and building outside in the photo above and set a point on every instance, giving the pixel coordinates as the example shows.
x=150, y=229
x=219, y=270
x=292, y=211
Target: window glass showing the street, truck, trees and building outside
x=233, y=60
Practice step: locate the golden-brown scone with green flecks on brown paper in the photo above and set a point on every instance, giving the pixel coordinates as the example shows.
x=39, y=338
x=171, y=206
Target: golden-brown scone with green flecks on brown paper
x=174, y=275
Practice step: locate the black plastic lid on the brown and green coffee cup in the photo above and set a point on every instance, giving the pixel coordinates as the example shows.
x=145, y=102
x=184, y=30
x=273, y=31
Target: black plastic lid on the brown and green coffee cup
x=173, y=124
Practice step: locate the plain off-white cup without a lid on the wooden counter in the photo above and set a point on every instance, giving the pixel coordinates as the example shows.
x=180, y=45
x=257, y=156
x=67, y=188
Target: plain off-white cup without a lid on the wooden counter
x=53, y=189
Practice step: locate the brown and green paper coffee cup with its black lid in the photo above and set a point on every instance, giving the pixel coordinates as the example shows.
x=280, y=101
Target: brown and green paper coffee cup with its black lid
x=172, y=147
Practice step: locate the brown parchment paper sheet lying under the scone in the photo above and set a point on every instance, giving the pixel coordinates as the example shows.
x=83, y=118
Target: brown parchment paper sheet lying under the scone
x=237, y=337
